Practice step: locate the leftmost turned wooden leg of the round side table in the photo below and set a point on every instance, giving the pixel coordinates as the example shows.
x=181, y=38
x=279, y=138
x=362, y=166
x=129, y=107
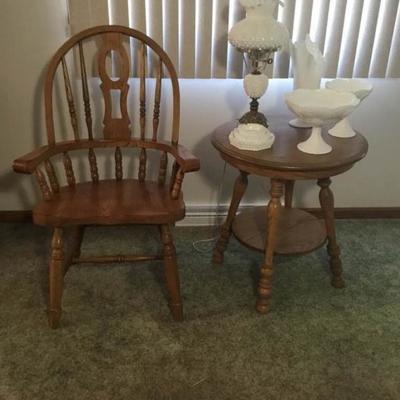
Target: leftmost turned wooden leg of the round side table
x=222, y=243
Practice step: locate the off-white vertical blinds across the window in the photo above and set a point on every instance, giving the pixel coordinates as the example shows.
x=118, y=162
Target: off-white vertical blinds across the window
x=359, y=38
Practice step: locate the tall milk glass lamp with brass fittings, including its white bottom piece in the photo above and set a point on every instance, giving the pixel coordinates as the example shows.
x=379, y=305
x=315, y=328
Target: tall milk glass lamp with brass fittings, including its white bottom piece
x=258, y=36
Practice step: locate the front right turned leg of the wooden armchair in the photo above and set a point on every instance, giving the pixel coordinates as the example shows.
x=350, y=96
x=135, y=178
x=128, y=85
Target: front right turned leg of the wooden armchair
x=171, y=273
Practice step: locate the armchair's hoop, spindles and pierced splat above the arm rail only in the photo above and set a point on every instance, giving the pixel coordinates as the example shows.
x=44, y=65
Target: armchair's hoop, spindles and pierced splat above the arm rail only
x=111, y=41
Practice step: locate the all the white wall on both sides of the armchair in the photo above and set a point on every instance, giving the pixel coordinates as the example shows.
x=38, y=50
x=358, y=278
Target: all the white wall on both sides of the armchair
x=30, y=32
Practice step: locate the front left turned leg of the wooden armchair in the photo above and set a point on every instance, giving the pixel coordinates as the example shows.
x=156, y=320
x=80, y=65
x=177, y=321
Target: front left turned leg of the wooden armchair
x=55, y=278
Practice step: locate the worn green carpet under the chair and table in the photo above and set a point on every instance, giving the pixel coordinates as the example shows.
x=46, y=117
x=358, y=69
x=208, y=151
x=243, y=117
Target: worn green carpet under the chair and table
x=118, y=341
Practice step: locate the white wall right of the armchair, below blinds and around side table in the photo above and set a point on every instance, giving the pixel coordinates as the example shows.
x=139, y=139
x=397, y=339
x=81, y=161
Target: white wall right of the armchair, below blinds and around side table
x=373, y=182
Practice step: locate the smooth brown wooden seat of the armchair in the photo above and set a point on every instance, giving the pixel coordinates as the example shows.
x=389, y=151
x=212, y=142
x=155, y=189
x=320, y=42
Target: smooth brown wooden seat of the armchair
x=110, y=202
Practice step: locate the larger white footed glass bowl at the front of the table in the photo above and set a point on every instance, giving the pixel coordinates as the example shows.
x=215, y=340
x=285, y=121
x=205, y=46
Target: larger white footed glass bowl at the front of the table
x=318, y=106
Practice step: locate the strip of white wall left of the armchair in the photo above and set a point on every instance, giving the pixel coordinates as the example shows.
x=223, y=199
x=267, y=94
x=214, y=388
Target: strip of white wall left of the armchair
x=30, y=32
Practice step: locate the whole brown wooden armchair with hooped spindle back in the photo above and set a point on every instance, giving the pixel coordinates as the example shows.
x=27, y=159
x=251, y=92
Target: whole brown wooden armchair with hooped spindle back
x=82, y=202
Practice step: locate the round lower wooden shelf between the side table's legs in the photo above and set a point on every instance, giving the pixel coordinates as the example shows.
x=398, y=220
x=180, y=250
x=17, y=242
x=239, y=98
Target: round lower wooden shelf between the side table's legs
x=298, y=231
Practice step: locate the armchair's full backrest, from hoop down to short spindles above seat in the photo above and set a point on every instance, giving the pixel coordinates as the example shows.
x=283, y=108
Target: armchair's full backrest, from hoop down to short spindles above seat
x=117, y=131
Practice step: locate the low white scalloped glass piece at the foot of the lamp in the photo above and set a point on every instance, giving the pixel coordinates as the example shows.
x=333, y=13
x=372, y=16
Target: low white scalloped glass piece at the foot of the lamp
x=252, y=137
